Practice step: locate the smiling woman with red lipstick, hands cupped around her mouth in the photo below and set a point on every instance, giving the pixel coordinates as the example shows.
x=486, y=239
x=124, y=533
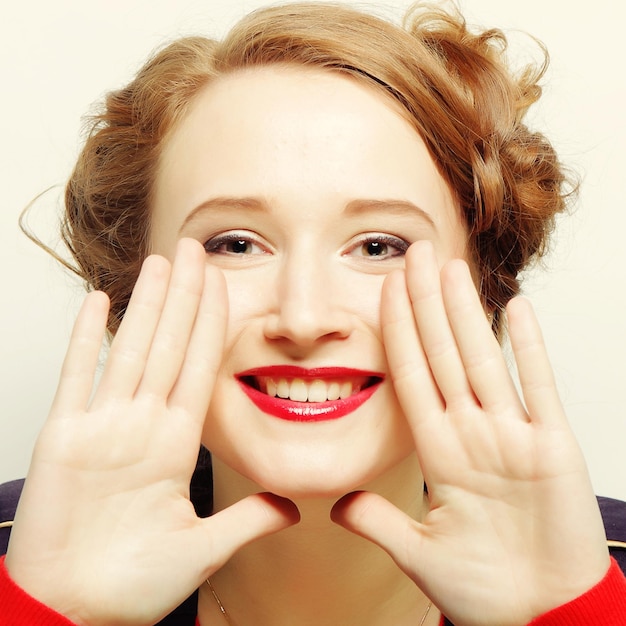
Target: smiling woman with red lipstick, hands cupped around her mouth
x=324, y=218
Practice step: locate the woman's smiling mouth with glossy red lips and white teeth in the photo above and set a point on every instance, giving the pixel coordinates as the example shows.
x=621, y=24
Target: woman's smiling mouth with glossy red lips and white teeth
x=264, y=385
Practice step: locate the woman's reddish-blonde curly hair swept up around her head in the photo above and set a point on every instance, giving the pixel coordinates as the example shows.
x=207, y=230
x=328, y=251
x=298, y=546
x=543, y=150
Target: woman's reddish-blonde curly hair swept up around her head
x=453, y=82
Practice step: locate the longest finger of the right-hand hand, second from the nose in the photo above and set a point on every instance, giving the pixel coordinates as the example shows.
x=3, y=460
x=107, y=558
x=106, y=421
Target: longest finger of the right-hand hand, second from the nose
x=424, y=284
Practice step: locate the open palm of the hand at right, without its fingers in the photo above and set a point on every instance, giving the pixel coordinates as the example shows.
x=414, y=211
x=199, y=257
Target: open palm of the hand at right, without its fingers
x=496, y=520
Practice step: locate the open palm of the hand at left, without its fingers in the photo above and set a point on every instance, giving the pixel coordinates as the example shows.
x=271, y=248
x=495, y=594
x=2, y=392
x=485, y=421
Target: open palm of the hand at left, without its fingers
x=126, y=502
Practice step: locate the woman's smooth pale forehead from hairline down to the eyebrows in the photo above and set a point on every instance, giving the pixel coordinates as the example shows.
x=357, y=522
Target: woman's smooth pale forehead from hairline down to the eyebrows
x=305, y=143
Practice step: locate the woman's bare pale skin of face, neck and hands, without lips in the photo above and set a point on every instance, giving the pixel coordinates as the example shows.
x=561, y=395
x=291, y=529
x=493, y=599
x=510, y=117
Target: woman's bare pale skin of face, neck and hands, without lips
x=508, y=491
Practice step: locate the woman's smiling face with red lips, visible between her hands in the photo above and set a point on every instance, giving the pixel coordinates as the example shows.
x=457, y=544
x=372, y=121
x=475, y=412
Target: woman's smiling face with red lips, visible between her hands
x=306, y=187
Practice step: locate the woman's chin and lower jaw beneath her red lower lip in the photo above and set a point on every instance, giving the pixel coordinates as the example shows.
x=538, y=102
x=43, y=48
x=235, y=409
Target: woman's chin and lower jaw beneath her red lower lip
x=365, y=449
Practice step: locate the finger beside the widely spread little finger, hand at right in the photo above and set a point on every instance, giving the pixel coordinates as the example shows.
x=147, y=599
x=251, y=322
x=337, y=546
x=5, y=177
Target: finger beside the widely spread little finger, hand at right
x=479, y=349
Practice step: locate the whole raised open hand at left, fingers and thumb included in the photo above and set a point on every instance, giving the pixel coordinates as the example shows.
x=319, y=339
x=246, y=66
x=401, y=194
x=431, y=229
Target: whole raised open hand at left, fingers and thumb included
x=105, y=532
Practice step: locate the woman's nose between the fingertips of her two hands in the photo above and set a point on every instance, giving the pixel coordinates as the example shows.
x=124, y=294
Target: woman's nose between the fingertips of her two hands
x=310, y=305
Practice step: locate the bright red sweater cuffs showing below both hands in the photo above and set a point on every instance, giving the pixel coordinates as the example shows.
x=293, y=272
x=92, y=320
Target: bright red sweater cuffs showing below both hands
x=603, y=605
